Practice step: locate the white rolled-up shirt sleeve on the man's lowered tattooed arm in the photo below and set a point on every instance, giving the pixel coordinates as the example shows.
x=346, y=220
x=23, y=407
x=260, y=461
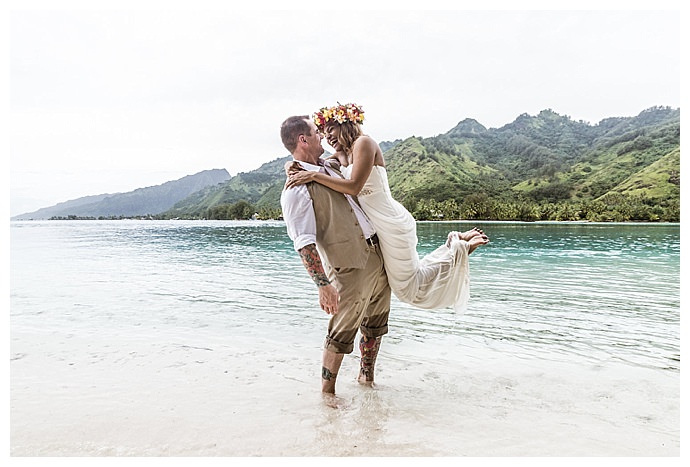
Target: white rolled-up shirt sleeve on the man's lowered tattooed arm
x=298, y=213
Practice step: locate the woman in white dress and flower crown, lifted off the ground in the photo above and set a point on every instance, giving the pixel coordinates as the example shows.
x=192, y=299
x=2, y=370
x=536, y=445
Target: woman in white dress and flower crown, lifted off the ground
x=439, y=279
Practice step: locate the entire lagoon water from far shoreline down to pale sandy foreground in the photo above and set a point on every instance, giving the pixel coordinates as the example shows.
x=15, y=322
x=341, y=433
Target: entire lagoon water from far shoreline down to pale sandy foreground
x=204, y=338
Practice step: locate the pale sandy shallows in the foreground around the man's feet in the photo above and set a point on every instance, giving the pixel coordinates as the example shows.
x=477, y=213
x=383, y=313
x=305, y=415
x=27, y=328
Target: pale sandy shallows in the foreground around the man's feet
x=75, y=395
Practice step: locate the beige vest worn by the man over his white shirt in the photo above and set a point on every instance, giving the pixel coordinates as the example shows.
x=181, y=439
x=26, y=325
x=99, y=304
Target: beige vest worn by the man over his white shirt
x=339, y=236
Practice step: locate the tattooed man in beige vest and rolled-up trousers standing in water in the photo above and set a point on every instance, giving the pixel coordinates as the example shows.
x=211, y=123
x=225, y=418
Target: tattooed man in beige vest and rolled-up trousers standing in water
x=340, y=251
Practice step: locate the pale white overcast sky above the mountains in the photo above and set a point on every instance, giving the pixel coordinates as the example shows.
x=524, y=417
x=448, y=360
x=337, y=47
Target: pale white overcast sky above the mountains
x=107, y=101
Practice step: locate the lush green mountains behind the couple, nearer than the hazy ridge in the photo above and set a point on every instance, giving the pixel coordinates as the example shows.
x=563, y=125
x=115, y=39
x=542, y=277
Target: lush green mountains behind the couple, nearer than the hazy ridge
x=546, y=166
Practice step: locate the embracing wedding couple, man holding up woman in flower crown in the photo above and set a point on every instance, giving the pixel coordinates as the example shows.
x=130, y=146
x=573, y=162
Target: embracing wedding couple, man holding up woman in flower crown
x=358, y=243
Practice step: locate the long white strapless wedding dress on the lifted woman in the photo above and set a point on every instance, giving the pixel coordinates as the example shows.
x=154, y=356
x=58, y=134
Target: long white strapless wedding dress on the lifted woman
x=440, y=279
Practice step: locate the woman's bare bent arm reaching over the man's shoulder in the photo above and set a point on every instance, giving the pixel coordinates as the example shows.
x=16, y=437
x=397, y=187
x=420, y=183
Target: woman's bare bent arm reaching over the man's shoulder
x=363, y=155
